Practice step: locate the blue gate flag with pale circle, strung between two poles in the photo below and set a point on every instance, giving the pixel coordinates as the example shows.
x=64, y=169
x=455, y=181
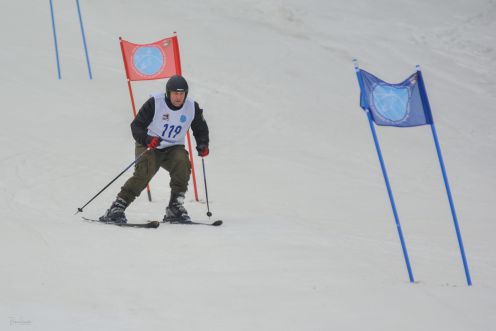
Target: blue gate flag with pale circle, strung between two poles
x=401, y=105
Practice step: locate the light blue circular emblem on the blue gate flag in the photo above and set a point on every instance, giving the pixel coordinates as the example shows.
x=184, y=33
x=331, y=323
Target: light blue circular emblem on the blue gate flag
x=391, y=102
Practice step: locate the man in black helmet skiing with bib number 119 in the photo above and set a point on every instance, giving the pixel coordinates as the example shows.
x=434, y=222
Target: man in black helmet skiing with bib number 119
x=161, y=125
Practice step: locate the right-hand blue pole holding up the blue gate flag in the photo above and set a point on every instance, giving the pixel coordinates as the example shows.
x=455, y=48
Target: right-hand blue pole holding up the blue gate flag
x=425, y=101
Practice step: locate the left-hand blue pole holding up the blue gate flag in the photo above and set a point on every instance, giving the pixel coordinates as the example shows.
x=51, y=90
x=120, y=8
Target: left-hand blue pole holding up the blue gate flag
x=386, y=179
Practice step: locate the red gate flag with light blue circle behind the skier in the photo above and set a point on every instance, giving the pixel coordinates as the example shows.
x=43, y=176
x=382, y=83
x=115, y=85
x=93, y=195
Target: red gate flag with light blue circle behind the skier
x=156, y=60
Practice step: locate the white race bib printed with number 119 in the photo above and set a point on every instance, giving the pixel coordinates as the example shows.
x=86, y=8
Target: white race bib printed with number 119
x=171, y=125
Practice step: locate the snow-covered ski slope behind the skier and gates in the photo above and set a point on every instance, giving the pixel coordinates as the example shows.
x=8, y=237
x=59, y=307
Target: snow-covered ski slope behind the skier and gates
x=309, y=241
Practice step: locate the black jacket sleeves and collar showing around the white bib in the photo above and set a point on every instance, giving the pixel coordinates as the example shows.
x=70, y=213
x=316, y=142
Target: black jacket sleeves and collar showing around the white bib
x=139, y=126
